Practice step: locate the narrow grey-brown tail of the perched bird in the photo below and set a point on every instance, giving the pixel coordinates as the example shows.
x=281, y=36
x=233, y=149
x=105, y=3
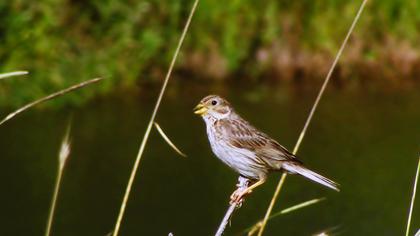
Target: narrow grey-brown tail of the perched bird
x=297, y=168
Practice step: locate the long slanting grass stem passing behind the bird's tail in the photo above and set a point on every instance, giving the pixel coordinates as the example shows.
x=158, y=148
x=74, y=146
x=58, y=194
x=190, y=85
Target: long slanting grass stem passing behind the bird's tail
x=318, y=98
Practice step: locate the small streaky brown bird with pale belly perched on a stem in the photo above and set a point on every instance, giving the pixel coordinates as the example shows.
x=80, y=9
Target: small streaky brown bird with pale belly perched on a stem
x=248, y=151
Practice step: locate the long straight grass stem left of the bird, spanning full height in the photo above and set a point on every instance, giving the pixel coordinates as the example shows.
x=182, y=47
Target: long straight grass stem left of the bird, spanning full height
x=152, y=119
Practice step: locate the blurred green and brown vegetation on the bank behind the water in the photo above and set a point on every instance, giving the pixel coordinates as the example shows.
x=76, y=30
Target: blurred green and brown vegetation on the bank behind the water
x=62, y=42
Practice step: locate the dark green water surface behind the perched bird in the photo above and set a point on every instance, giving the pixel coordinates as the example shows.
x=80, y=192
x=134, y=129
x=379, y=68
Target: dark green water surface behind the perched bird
x=365, y=139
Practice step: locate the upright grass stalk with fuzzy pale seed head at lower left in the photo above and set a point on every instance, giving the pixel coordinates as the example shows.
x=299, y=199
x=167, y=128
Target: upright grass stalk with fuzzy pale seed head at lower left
x=62, y=157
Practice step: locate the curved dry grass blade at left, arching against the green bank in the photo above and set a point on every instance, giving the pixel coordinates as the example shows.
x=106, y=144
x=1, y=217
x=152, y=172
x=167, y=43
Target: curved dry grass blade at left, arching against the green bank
x=49, y=97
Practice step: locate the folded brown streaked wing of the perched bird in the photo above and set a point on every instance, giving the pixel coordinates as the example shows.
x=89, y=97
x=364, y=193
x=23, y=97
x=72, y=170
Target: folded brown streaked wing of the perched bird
x=241, y=134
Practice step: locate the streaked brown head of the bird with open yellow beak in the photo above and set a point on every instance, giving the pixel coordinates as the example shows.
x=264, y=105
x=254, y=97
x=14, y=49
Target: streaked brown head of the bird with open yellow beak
x=213, y=106
